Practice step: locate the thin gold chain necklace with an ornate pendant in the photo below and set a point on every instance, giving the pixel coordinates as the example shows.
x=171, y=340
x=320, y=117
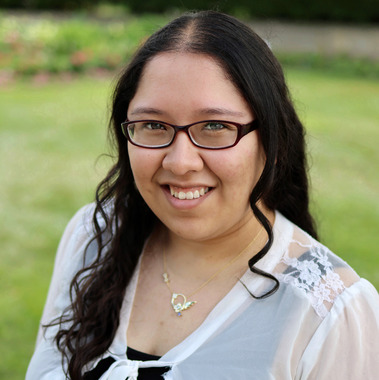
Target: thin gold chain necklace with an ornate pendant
x=178, y=306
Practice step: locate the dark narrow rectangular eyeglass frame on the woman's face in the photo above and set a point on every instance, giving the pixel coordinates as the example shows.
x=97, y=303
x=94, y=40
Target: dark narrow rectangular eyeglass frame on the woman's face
x=242, y=130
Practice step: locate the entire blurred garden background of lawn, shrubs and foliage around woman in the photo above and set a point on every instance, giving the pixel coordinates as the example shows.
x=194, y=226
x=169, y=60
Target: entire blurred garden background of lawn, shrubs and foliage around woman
x=58, y=64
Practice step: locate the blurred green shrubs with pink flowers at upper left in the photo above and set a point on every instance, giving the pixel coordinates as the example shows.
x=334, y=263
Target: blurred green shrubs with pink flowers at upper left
x=30, y=45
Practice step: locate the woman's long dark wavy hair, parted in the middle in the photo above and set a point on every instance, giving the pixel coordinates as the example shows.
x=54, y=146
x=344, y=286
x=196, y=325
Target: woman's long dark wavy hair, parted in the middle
x=98, y=289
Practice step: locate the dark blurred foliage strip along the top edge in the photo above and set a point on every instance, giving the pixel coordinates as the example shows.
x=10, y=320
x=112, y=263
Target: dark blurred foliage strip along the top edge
x=364, y=11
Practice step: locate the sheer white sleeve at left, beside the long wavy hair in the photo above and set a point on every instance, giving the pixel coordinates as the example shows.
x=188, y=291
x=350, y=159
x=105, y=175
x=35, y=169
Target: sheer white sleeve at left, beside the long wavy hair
x=46, y=362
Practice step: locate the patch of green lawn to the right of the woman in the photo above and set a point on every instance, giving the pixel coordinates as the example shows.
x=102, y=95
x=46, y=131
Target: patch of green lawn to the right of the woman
x=342, y=116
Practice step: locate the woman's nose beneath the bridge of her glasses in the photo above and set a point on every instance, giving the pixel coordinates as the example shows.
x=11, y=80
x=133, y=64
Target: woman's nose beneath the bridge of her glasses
x=182, y=156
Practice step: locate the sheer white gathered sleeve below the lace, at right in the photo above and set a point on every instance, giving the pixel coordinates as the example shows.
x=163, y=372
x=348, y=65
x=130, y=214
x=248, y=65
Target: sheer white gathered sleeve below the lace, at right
x=346, y=344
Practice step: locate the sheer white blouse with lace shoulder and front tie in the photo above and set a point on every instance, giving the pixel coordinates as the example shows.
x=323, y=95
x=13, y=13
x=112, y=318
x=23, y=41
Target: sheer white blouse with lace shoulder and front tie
x=322, y=323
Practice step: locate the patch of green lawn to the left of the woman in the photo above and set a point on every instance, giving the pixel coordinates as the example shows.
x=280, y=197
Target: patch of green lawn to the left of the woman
x=49, y=139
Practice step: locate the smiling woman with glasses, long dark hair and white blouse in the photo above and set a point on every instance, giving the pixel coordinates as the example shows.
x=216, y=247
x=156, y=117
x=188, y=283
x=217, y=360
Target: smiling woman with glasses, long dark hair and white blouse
x=201, y=262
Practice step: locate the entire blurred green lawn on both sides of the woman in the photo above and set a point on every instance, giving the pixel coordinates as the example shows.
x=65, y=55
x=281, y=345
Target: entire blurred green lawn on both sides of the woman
x=51, y=136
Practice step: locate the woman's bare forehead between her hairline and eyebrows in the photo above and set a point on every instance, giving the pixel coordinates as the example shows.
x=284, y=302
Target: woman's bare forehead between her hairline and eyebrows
x=187, y=82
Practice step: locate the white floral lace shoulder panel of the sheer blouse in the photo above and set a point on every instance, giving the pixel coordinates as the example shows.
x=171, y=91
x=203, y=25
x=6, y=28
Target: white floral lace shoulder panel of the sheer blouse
x=313, y=269
